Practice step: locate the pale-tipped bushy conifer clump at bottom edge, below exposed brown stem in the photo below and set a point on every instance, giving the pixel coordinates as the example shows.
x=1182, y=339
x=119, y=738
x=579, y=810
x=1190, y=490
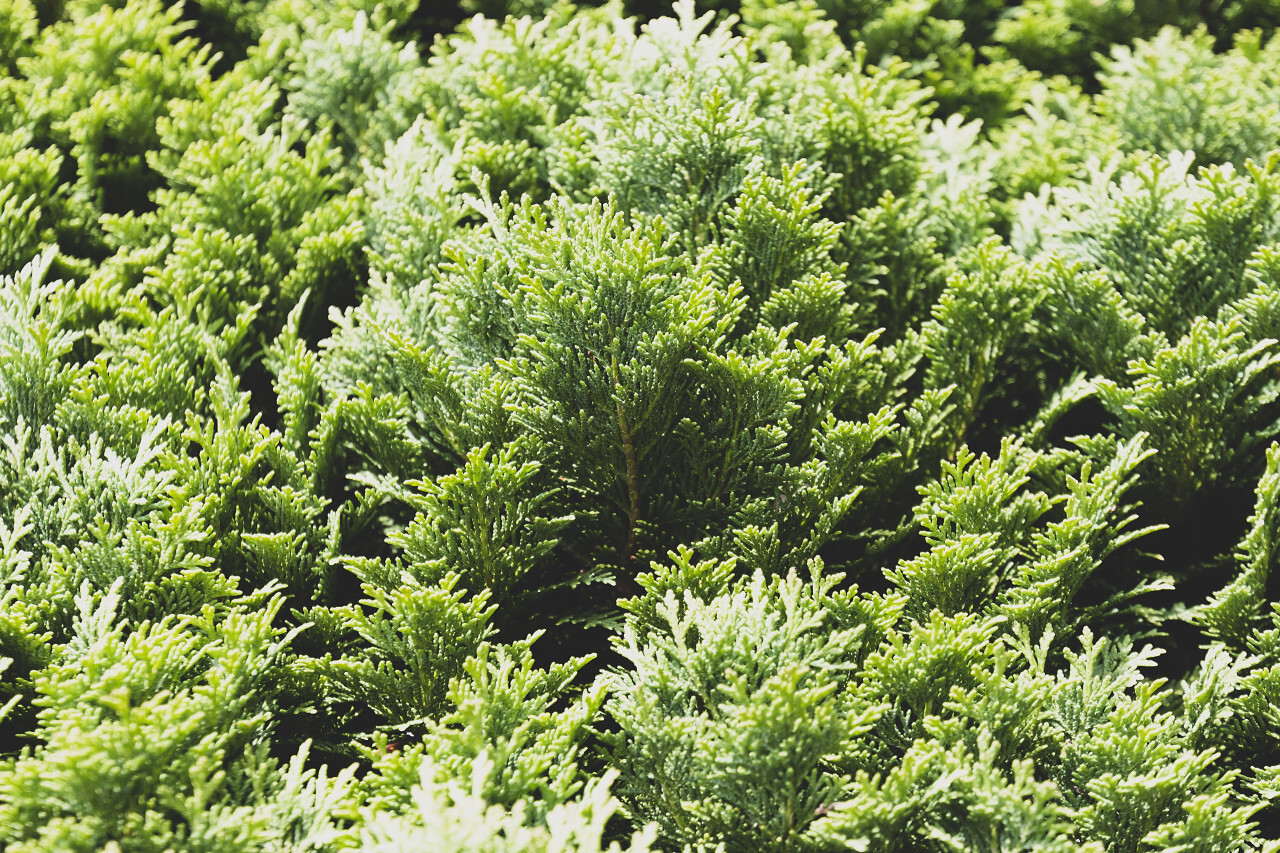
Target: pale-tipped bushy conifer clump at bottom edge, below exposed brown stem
x=729, y=691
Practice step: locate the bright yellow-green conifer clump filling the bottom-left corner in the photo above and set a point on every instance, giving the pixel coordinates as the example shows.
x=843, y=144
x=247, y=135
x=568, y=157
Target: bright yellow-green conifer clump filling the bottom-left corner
x=163, y=735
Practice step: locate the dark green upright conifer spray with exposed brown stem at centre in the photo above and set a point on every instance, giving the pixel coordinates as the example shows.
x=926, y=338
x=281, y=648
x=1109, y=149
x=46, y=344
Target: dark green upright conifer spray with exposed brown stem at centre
x=600, y=359
